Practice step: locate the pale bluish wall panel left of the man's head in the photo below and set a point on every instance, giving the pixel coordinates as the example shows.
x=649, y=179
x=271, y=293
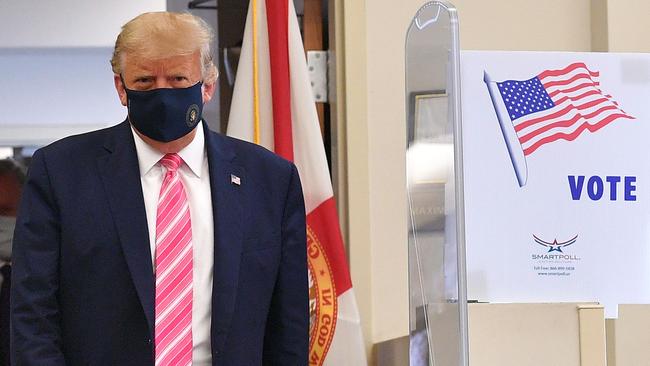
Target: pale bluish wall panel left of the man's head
x=46, y=94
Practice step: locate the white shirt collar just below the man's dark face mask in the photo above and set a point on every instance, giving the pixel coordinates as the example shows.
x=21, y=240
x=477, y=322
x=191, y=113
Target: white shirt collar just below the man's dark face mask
x=192, y=154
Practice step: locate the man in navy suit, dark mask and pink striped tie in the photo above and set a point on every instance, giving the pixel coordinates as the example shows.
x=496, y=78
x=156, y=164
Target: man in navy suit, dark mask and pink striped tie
x=158, y=240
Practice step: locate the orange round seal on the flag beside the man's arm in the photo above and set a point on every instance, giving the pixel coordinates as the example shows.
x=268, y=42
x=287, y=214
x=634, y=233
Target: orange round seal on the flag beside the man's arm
x=322, y=300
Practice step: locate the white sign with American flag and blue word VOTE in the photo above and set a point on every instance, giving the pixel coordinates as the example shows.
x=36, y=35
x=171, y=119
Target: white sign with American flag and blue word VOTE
x=557, y=166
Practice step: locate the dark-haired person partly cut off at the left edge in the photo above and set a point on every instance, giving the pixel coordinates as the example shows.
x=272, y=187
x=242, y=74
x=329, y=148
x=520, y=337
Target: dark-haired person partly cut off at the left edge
x=12, y=178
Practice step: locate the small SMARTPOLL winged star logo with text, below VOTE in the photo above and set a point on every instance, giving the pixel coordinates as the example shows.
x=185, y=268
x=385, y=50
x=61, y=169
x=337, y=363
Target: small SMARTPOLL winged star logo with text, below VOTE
x=556, y=260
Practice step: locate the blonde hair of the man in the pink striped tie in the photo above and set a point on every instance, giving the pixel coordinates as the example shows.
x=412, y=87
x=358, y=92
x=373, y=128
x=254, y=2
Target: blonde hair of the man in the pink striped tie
x=164, y=34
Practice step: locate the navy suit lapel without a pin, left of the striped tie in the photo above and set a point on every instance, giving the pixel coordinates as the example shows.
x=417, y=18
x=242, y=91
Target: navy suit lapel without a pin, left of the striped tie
x=120, y=175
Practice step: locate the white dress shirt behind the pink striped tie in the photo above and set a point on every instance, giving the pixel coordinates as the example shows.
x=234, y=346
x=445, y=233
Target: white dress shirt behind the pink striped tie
x=196, y=178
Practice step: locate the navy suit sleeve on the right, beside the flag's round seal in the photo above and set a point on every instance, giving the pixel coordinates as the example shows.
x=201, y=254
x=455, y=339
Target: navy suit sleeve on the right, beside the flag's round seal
x=286, y=341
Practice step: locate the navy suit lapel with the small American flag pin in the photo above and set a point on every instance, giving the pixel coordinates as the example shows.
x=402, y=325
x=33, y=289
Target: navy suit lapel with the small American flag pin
x=228, y=213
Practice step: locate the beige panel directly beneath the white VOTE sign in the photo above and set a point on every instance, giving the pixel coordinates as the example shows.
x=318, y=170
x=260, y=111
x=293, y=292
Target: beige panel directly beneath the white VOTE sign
x=576, y=332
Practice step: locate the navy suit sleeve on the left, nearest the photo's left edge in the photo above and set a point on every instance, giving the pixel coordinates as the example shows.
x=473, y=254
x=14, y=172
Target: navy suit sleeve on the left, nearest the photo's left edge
x=35, y=317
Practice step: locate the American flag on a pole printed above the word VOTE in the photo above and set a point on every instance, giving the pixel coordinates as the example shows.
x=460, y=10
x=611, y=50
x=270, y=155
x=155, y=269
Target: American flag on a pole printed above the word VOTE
x=551, y=106
